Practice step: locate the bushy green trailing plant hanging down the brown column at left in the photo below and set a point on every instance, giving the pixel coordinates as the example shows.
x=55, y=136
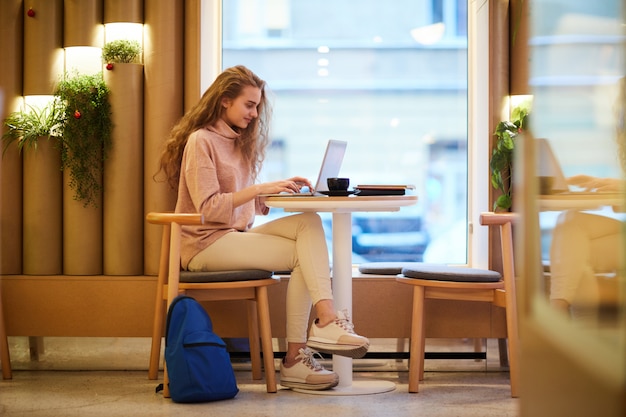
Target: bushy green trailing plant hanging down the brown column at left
x=86, y=133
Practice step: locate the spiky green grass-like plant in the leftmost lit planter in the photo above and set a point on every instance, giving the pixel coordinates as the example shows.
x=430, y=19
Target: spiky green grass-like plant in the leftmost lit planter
x=26, y=126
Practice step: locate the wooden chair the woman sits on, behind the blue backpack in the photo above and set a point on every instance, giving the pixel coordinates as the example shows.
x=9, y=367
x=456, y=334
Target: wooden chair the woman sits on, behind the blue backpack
x=250, y=285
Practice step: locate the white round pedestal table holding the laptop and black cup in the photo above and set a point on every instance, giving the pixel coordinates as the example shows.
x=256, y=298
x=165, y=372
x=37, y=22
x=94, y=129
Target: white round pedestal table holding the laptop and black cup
x=342, y=209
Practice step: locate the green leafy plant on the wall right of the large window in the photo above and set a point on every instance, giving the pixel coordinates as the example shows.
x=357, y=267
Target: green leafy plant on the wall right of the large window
x=502, y=154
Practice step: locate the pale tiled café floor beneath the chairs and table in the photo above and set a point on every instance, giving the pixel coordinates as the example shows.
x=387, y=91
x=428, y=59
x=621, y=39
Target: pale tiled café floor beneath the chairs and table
x=108, y=377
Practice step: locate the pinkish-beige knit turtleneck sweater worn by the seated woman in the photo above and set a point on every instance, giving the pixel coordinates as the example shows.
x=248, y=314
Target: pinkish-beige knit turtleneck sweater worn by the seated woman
x=212, y=170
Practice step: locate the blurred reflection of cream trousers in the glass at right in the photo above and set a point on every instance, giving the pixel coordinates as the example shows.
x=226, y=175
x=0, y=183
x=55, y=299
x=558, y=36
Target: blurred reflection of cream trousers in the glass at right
x=582, y=244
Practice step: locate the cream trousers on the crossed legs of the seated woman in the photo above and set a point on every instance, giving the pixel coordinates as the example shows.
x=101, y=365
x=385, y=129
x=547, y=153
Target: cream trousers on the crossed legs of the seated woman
x=293, y=243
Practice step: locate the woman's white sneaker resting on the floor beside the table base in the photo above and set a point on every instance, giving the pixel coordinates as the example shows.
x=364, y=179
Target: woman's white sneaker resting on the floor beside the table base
x=307, y=373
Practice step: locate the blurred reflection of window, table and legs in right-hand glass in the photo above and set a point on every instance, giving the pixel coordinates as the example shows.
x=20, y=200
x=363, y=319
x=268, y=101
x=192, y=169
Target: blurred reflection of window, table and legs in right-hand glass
x=578, y=86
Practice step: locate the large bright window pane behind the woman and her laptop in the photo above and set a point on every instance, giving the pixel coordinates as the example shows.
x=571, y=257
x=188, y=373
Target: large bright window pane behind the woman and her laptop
x=390, y=78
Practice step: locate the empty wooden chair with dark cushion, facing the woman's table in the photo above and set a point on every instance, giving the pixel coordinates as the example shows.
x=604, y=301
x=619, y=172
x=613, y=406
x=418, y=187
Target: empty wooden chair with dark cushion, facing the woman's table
x=470, y=284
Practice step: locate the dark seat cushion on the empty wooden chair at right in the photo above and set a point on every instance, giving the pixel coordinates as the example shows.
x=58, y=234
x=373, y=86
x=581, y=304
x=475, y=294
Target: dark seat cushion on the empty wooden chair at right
x=451, y=273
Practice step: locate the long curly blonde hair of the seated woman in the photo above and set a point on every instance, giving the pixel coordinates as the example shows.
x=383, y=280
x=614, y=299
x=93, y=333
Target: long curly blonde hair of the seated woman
x=252, y=140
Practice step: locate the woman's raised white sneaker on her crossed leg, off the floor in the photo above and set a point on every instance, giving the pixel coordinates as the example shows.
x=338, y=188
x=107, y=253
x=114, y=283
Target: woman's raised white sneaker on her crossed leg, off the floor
x=338, y=338
